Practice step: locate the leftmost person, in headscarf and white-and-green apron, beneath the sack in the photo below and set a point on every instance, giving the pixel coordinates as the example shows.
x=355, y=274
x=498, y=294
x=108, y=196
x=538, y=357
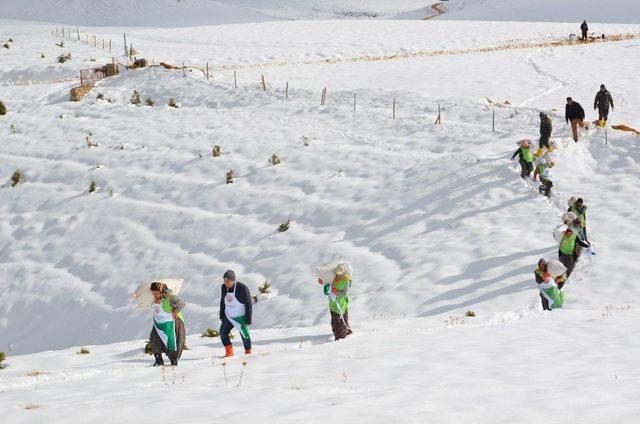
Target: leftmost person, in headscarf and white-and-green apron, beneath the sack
x=168, y=334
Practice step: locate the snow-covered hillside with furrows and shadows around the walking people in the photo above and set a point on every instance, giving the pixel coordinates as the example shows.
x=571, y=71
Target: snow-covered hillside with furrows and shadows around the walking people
x=433, y=217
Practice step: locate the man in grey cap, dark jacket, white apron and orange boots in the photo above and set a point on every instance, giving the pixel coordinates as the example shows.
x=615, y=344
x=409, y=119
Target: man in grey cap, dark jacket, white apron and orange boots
x=235, y=311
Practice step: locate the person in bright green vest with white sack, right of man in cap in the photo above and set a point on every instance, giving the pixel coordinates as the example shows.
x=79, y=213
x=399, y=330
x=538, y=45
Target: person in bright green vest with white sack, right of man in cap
x=338, y=292
